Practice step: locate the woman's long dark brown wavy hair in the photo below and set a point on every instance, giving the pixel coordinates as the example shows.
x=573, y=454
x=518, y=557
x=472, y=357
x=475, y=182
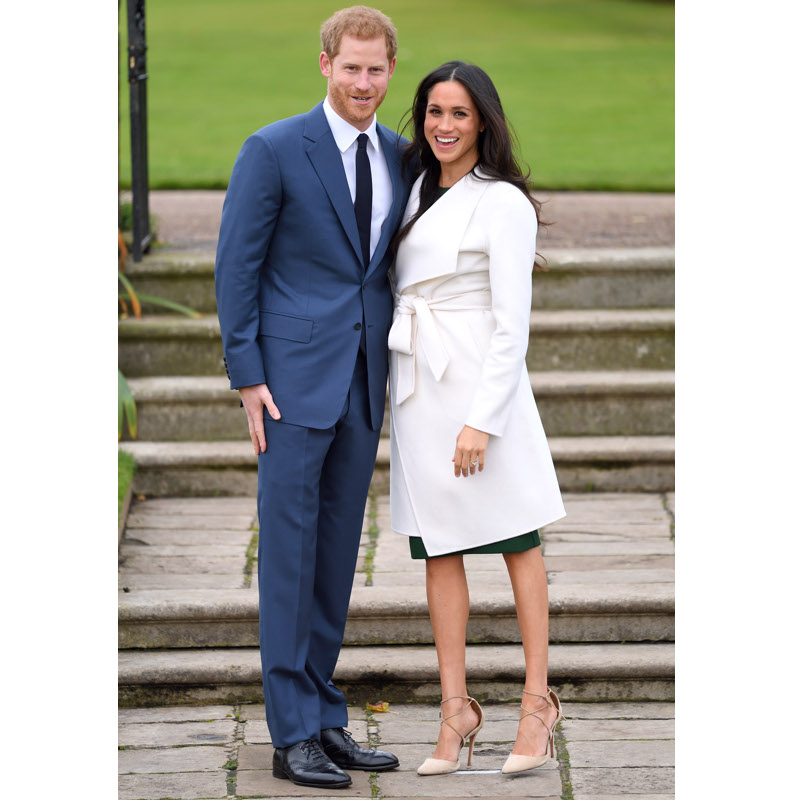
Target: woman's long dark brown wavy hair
x=496, y=143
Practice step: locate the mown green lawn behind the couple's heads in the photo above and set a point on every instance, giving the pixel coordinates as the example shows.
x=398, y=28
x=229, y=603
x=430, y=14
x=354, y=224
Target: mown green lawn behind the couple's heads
x=588, y=84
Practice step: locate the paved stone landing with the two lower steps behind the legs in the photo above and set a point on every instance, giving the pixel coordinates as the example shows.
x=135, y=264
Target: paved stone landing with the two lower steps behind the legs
x=188, y=614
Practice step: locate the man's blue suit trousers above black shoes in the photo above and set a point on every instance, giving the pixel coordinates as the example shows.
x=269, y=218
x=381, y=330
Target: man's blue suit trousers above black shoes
x=312, y=491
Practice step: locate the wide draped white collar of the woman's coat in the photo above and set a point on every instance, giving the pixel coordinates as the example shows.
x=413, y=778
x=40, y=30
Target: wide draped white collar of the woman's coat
x=431, y=248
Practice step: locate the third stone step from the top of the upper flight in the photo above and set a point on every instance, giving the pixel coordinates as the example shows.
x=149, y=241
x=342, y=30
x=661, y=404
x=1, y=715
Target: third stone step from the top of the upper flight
x=636, y=402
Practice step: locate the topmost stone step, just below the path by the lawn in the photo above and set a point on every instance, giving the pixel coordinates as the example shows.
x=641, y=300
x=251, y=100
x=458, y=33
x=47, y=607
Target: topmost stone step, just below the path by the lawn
x=575, y=278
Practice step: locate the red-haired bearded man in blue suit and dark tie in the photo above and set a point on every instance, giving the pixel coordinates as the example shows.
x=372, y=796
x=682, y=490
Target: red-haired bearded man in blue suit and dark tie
x=305, y=308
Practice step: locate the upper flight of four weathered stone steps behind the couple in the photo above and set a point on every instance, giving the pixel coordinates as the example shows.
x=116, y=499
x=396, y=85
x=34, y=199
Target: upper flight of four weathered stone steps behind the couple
x=601, y=357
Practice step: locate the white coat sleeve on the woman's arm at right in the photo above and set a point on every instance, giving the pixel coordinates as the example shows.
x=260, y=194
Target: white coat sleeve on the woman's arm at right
x=511, y=247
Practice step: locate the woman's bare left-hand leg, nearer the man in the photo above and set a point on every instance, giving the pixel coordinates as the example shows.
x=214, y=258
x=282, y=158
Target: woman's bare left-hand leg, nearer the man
x=448, y=603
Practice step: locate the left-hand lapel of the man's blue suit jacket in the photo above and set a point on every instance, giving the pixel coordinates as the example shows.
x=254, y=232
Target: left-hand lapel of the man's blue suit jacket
x=327, y=161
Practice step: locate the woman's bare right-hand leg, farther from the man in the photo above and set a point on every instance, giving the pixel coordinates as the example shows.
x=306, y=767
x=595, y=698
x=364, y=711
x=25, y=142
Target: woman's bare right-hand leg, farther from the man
x=529, y=582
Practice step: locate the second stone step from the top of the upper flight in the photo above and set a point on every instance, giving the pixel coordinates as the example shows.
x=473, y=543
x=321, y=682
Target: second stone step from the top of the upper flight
x=567, y=339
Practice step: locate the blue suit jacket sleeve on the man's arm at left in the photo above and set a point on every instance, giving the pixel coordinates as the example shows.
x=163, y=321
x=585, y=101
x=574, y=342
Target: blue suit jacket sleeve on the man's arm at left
x=251, y=208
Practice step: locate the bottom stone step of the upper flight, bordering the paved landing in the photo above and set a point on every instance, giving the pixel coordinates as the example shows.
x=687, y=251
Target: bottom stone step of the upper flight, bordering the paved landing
x=583, y=463
